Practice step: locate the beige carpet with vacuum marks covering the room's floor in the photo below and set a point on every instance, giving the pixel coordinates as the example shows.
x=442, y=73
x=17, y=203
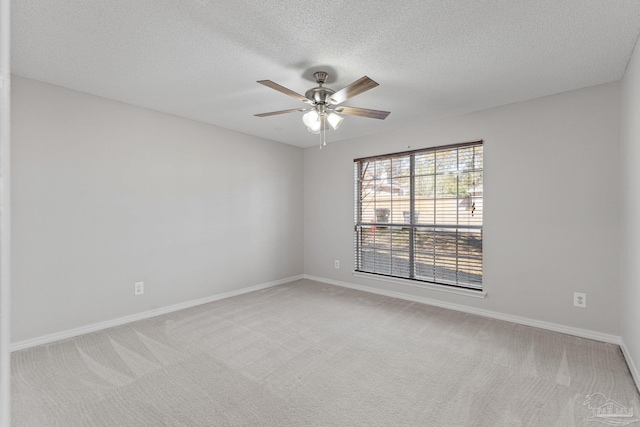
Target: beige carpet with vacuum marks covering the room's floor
x=310, y=354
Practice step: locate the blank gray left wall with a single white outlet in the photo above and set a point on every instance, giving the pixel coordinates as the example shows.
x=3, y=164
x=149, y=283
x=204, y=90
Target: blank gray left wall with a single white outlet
x=106, y=194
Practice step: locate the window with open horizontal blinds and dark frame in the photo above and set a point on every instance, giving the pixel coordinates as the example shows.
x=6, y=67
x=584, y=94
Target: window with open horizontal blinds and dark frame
x=418, y=215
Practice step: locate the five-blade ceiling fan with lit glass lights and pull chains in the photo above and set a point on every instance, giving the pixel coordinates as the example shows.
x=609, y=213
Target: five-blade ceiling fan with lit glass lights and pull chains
x=325, y=103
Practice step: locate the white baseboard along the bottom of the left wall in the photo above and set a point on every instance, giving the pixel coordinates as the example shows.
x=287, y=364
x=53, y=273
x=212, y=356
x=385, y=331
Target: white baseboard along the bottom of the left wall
x=46, y=339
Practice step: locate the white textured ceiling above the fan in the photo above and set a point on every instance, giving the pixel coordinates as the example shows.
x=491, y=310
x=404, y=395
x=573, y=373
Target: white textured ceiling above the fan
x=200, y=59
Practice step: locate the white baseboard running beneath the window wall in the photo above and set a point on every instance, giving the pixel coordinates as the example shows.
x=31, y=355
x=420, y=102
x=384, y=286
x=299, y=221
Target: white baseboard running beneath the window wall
x=570, y=330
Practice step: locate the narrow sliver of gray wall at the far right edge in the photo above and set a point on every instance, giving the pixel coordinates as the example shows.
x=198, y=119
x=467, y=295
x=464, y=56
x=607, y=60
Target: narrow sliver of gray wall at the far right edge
x=630, y=213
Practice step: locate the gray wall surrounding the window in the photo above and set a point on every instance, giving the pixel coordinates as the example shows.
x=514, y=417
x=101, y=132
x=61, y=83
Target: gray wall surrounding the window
x=551, y=205
